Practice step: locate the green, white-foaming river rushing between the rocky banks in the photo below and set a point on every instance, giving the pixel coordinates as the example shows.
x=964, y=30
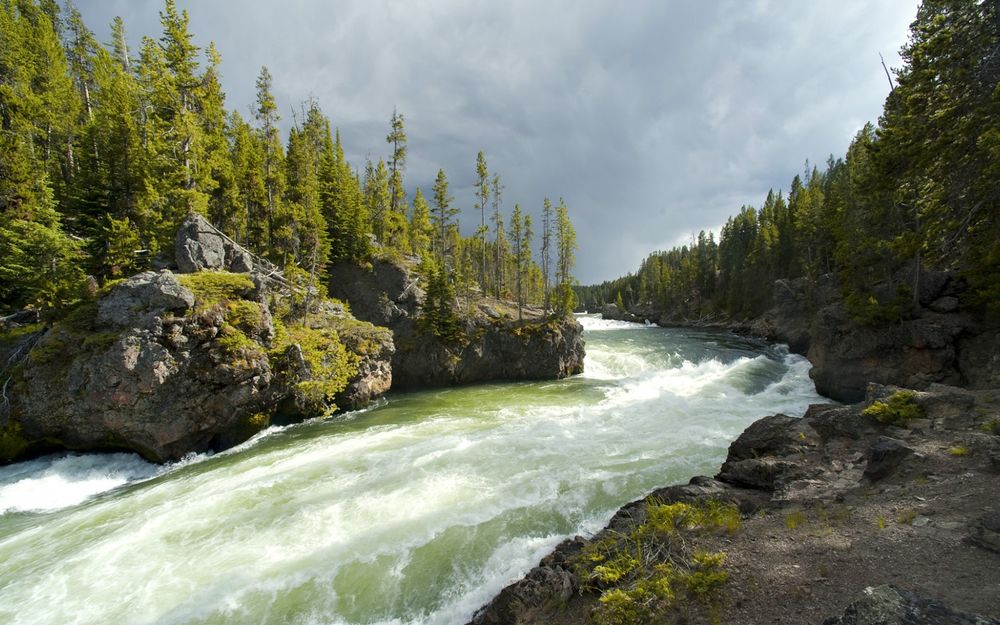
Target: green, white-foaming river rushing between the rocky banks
x=415, y=511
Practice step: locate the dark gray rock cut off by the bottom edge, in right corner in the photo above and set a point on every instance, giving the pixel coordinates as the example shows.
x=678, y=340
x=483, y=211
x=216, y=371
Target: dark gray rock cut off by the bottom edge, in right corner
x=888, y=605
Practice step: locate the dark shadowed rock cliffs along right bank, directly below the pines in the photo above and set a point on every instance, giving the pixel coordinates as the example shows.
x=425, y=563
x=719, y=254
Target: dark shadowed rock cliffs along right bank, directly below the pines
x=944, y=339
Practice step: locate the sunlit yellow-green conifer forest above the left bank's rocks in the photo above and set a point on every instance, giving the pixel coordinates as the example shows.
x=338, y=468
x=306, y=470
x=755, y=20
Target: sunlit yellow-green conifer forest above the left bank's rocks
x=104, y=150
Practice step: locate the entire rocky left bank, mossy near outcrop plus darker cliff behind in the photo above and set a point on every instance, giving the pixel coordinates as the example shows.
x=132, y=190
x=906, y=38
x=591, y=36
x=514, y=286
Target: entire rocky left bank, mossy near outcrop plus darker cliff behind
x=205, y=355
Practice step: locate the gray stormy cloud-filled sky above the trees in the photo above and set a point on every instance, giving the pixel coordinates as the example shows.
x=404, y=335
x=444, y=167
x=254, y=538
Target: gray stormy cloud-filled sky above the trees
x=652, y=118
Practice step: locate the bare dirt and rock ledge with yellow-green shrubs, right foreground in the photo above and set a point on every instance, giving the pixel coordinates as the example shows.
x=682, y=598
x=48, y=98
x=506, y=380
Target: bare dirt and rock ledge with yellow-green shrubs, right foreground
x=880, y=512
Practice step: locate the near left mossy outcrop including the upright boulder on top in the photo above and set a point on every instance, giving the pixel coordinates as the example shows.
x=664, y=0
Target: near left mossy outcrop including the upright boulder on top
x=167, y=364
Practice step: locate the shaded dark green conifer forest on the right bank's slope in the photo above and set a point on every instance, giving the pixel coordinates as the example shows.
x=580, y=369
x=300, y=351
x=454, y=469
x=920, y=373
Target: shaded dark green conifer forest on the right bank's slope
x=920, y=190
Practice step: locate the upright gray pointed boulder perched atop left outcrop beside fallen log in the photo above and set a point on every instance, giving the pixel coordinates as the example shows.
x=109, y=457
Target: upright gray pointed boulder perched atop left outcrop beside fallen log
x=200, y=245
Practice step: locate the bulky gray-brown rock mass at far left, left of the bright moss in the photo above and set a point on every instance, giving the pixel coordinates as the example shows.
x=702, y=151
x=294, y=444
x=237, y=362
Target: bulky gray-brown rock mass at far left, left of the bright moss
x=140, y=374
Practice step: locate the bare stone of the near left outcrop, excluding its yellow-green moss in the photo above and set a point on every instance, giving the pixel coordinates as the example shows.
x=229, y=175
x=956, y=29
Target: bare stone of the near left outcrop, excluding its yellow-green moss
x=144, y=369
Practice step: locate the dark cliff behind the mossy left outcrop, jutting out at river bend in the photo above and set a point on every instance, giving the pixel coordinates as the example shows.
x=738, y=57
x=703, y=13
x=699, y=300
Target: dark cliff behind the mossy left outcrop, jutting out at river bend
x=493, y=344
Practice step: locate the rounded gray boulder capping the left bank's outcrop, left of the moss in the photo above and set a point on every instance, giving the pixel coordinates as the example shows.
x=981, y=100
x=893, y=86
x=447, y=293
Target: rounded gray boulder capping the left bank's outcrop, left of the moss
x=143, y=297
